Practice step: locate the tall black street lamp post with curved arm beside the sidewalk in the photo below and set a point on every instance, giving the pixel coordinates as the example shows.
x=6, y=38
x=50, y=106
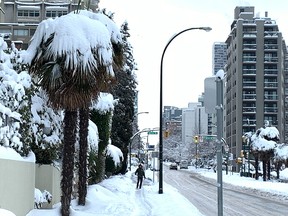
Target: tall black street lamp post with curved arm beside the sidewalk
x=161, y=105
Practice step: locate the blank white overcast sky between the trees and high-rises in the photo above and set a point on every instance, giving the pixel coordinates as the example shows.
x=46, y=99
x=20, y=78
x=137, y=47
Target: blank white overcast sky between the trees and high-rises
x=188, y=59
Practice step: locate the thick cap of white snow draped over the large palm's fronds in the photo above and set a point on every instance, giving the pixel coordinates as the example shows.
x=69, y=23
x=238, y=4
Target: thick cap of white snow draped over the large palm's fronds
x=81, y=50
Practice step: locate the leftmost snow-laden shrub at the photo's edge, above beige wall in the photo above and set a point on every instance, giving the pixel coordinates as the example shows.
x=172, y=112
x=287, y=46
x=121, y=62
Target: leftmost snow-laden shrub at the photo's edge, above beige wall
x=15, y=103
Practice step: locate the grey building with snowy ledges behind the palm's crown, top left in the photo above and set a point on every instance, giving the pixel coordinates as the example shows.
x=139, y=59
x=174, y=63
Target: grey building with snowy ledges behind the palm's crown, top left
x=19, y=19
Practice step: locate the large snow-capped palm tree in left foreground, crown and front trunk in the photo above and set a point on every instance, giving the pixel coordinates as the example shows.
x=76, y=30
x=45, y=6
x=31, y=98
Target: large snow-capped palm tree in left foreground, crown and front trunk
x=72, y=58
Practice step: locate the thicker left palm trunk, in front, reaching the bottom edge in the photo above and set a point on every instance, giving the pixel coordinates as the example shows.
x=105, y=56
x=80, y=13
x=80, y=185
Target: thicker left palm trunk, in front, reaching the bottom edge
x=70, y=126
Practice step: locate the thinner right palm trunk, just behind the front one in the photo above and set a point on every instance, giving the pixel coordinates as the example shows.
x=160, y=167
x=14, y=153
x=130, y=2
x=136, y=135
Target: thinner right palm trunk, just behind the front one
x=83, y=133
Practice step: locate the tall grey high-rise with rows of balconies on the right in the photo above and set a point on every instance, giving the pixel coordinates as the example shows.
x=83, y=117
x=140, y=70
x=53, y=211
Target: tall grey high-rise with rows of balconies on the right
x=254, y=96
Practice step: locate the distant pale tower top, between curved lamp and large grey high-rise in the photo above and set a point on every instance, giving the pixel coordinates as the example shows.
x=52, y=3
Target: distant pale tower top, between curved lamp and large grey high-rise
x=219, y=56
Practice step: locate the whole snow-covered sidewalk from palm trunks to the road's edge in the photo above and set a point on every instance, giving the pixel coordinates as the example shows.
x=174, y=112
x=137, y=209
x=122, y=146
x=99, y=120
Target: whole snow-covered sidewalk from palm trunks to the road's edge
x=118, y=196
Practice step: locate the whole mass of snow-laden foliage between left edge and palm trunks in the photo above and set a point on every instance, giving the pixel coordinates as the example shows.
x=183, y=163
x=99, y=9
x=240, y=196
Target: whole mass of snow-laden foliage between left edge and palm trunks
x=26, y=119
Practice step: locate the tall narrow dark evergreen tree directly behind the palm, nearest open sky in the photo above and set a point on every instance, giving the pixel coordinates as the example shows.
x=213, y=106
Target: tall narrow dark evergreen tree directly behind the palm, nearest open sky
x=125, y=92
